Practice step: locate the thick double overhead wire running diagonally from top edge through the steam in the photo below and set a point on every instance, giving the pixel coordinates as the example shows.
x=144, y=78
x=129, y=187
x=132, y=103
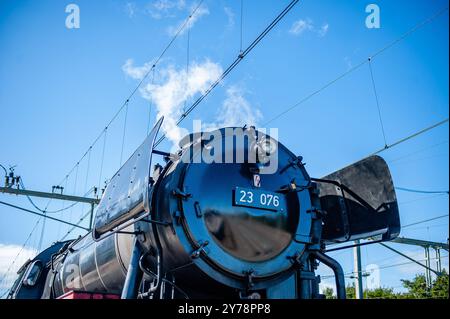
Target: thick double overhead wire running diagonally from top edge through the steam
x=238, y=59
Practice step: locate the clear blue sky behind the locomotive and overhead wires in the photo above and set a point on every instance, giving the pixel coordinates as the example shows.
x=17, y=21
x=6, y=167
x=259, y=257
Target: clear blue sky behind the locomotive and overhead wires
x=59, y=88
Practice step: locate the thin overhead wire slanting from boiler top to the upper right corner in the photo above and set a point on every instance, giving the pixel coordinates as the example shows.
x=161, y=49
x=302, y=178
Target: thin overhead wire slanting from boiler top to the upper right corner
x=359, y=65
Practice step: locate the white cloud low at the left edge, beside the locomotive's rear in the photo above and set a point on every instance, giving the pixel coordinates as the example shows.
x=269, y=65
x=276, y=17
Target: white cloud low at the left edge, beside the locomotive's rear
x=7, y=254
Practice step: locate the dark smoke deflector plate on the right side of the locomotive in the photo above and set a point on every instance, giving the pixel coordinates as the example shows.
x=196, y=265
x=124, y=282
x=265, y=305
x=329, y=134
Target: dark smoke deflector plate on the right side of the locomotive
x=360, y=202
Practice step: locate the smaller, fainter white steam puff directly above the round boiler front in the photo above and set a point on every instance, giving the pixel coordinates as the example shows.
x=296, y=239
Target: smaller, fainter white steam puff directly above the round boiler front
x=236, y=110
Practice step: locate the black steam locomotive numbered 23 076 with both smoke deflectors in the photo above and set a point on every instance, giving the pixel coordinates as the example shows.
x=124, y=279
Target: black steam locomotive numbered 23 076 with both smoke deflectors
x=230, y=215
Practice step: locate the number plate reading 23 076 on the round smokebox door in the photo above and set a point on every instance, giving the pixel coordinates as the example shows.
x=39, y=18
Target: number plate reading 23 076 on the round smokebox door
x=256, y=198
